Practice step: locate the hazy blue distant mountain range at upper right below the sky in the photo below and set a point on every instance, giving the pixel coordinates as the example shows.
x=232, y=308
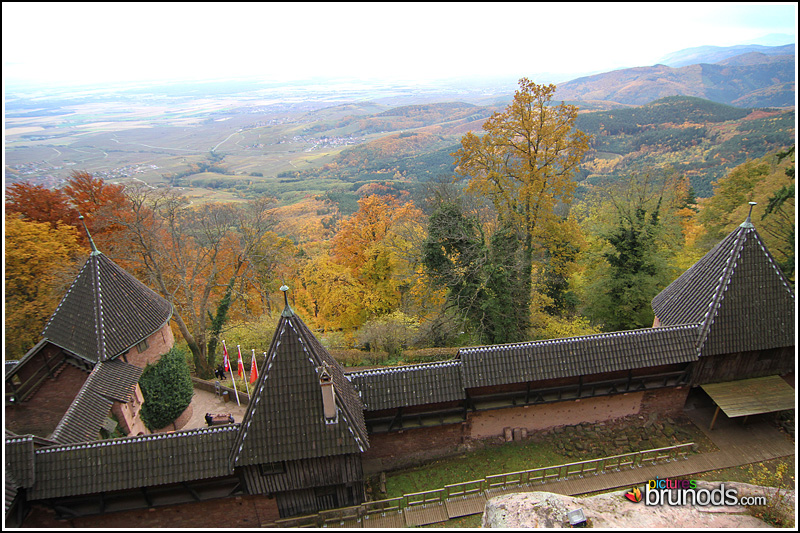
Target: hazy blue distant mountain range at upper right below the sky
x=742, y=76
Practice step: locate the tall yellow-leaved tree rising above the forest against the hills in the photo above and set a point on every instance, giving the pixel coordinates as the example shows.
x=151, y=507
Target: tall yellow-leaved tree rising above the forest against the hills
x=524, y=163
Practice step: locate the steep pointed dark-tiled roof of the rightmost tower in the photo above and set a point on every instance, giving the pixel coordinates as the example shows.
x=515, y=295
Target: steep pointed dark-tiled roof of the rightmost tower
x=736, y=293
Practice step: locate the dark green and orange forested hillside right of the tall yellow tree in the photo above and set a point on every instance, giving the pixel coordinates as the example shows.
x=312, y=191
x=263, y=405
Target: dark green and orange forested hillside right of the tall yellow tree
x=698, y=138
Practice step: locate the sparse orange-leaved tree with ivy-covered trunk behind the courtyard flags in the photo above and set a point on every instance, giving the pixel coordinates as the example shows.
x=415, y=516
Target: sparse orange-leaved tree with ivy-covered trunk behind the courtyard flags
x=195, y=255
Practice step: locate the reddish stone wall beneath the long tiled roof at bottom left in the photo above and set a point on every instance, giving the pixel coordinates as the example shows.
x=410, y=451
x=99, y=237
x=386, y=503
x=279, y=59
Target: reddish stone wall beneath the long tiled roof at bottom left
x=242, y=511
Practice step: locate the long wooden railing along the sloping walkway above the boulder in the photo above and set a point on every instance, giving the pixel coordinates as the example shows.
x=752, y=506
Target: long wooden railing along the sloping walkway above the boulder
x=494, y=483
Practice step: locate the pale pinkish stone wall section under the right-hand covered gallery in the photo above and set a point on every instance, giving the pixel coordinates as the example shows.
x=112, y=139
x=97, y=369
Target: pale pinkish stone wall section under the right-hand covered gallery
x=486, y=424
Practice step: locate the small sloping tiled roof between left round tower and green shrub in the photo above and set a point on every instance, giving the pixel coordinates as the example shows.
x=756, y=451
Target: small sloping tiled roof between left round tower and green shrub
x=108, y=382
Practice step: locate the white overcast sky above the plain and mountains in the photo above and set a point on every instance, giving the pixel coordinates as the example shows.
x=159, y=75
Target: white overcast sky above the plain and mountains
x=66, y=42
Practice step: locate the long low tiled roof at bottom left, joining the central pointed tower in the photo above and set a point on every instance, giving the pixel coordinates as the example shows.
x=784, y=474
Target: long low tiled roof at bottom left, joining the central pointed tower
x=132, y=462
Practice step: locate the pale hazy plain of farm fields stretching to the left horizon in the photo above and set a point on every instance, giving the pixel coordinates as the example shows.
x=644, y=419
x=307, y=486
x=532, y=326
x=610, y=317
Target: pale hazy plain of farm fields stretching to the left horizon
x=151, y=135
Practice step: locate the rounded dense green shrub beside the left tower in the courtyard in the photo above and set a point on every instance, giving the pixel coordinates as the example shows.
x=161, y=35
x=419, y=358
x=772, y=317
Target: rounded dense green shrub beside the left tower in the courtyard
x=167, y=389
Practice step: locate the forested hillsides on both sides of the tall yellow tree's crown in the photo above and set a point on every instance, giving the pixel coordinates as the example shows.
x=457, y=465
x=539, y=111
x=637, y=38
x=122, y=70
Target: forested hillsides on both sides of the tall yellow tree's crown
x=696, y=137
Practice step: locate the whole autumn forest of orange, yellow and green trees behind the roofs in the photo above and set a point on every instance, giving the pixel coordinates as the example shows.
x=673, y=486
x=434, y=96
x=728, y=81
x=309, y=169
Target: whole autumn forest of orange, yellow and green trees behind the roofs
x=505, y=247
